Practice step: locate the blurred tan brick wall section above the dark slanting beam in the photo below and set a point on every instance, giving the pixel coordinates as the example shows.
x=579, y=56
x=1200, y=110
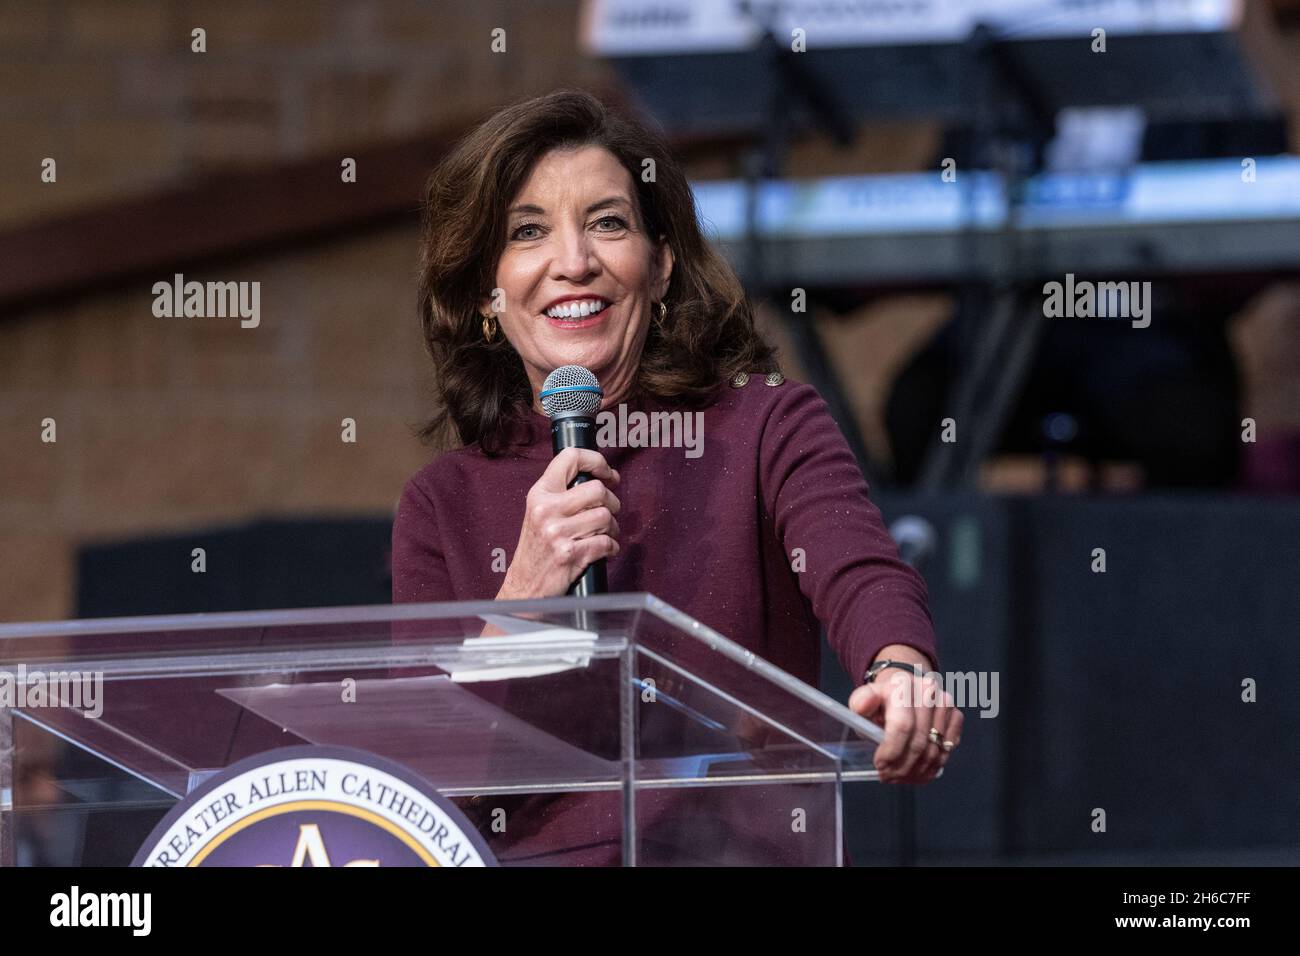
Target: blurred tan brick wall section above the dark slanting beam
x=114, y=93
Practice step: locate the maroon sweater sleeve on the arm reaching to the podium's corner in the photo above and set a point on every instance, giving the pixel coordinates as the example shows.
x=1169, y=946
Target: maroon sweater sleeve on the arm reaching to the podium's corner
x=863, y=592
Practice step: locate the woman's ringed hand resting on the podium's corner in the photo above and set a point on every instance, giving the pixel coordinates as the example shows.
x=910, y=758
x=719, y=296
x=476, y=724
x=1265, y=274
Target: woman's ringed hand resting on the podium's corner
x=908, y=708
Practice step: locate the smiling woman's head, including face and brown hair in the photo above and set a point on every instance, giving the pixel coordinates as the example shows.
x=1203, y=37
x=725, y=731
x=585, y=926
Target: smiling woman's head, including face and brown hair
x=554, y=201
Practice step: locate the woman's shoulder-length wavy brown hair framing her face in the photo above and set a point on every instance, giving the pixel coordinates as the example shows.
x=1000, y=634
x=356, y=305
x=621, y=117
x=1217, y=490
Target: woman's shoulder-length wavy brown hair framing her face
x=482, y=388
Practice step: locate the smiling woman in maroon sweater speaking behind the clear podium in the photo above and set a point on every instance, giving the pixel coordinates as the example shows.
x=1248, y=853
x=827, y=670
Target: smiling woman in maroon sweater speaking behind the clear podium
x=561, y=233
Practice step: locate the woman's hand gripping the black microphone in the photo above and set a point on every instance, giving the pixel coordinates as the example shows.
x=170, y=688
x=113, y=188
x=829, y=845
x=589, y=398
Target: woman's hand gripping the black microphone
x=565, y=529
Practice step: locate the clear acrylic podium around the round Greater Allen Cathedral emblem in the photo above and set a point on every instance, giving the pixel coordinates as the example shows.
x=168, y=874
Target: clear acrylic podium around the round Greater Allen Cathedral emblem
x=570, y=732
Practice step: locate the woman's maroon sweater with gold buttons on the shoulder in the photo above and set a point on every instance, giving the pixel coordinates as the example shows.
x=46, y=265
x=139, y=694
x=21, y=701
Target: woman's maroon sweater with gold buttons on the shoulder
x=717, y=537
